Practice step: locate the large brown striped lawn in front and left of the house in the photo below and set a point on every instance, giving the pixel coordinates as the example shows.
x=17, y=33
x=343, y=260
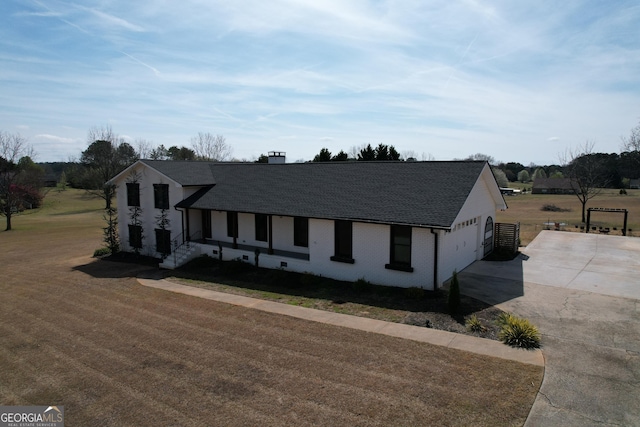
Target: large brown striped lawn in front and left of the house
x=82, y=333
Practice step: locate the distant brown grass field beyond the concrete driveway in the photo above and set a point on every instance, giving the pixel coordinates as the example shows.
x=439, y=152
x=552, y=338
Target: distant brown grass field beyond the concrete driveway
x=527, y=209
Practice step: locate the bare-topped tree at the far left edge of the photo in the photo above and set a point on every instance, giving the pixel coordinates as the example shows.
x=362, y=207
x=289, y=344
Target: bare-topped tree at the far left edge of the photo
x=16, y=184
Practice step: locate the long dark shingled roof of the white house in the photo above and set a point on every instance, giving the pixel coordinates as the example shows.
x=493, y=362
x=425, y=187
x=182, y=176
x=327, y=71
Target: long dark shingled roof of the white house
x=428, y=194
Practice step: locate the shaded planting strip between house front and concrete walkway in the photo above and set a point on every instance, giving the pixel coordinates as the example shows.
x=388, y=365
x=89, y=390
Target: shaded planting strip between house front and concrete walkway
x=409, y=306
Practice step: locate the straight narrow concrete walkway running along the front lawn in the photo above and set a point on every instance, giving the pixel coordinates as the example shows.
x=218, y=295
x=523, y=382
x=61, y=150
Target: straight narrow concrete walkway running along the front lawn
x=432, y=336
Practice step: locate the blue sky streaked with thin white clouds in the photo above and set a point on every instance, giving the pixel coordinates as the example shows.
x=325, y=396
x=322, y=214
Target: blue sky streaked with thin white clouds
x=520, y=81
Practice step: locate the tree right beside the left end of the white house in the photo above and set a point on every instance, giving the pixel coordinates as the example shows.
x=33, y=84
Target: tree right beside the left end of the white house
x=105, y=157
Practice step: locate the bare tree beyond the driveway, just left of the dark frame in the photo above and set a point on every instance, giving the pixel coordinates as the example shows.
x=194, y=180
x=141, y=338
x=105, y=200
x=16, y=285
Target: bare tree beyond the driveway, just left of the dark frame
x=585, y=172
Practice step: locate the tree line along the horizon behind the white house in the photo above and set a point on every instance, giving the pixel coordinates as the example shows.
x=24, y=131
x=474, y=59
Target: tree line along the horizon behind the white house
x=107, y=154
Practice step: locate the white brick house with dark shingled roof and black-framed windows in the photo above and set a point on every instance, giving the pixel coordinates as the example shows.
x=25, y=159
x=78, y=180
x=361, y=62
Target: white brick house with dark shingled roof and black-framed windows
x=391, y=223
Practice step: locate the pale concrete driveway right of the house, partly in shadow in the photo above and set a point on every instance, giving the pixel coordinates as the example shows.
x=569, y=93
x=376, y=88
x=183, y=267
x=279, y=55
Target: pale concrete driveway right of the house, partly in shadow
x=583, y=292
